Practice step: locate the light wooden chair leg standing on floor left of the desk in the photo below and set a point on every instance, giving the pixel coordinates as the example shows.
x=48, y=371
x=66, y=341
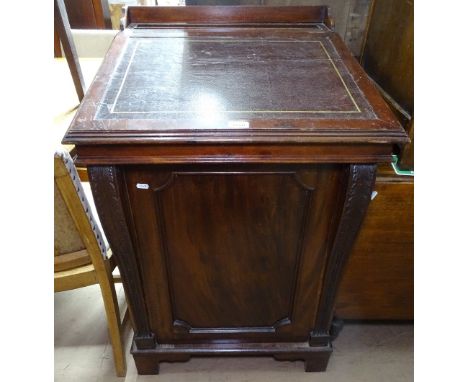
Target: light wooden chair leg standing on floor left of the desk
x=113, y=321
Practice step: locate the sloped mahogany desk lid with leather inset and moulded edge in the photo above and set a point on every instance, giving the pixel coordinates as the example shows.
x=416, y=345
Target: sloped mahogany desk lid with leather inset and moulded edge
x=231, y=84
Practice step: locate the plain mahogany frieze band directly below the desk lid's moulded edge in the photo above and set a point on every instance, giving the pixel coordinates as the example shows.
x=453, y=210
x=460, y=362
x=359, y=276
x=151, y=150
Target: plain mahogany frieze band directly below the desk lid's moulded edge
x=223, y=153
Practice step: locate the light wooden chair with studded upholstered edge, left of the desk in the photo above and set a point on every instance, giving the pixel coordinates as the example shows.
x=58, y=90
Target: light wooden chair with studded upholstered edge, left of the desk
x=82, y=256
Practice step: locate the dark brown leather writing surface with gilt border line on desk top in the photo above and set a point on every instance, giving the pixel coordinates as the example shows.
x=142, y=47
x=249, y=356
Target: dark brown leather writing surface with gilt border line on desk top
x=215, y=81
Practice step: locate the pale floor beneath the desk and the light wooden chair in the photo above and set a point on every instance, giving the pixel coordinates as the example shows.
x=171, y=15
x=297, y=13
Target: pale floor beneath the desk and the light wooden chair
x=362, y=353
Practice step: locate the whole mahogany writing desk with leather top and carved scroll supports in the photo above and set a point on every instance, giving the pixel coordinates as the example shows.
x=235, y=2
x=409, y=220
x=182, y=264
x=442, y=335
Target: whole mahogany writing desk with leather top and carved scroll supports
x=231, y=153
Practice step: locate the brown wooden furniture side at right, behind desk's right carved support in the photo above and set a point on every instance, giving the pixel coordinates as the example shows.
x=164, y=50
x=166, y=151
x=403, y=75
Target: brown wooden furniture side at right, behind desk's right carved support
x=378, y=281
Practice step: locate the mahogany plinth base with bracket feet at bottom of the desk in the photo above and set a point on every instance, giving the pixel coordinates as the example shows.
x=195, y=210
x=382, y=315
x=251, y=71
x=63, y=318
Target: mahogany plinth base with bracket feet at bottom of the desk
x=315, y=357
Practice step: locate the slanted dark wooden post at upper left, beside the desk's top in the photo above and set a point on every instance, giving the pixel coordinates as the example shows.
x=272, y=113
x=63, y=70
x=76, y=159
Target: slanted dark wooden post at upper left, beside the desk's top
x=62, y=27
